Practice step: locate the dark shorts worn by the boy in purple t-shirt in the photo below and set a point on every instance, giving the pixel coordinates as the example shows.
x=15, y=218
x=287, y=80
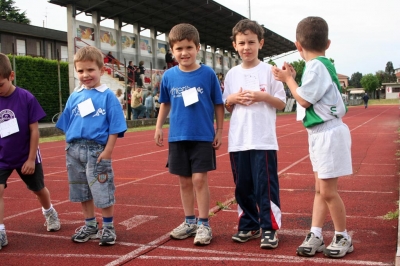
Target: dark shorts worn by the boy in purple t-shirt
x=34, y=182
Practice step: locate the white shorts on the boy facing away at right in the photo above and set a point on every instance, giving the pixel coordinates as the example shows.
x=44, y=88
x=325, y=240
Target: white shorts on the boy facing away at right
x=330, y=149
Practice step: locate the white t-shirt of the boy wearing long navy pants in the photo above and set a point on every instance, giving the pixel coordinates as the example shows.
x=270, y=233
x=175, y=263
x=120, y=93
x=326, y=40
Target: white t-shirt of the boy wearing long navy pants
x=253, y=127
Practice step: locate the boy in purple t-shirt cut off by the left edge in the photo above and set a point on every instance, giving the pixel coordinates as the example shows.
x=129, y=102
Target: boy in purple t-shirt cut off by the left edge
x=19, y=145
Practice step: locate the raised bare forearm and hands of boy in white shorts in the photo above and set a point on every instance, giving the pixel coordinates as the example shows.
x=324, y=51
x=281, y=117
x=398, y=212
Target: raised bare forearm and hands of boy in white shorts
x=285, y=75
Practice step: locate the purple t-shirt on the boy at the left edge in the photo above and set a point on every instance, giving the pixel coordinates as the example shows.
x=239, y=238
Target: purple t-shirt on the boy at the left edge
x=14, y=149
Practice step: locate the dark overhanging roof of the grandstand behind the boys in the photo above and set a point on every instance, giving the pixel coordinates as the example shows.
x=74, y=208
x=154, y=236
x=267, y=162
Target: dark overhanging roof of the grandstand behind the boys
x=213, y=21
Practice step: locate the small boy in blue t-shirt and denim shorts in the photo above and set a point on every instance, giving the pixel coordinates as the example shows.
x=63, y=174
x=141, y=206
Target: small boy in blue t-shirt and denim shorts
x=92, y=120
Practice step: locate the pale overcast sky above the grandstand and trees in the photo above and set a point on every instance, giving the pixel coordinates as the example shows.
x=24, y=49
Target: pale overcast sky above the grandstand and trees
x=364, y=35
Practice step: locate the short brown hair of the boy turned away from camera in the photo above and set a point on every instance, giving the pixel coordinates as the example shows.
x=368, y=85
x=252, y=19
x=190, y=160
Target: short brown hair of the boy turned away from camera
x=312, y=34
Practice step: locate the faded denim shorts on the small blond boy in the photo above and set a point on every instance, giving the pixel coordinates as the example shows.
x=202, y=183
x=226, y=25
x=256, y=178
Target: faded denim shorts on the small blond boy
x=88, y=179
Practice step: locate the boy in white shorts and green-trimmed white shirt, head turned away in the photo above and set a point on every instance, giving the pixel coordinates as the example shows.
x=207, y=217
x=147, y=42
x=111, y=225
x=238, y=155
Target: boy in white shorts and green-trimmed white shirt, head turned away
x=320, y=107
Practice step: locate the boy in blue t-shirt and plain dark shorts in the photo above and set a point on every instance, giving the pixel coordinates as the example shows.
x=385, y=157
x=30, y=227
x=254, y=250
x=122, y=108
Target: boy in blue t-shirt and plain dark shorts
x=193, y=95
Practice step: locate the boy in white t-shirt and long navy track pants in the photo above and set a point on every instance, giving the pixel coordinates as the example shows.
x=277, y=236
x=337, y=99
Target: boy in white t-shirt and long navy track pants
x=252, y=95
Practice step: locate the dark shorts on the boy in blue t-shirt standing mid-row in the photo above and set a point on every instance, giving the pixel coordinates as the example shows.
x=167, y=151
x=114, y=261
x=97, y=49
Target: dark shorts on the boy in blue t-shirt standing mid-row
x=188, y=157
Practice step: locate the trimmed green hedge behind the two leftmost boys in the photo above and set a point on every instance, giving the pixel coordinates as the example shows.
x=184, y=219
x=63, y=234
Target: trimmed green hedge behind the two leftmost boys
x=40, y=77
